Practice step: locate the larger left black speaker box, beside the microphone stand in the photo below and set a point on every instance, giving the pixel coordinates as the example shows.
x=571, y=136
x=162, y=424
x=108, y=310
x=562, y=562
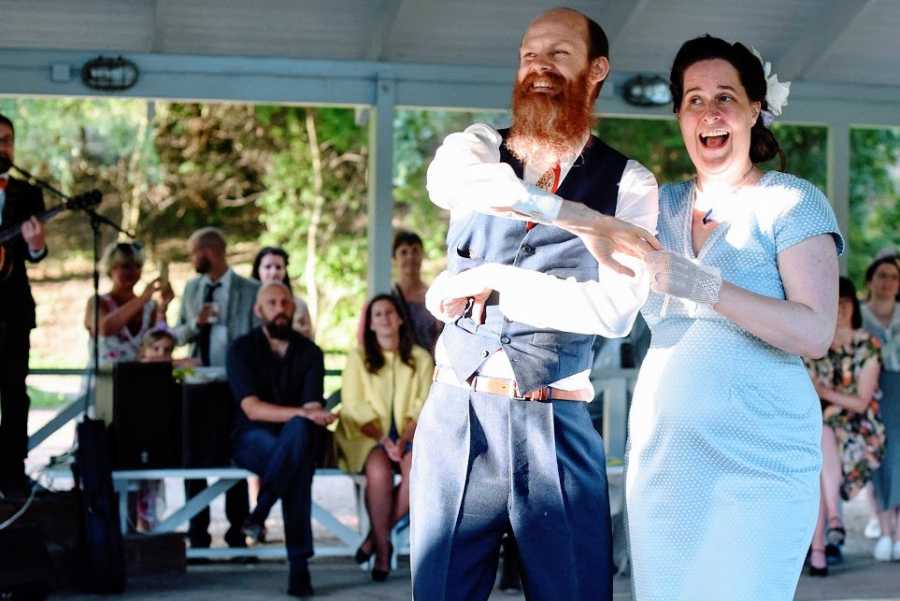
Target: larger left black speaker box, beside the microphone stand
x=146, y=427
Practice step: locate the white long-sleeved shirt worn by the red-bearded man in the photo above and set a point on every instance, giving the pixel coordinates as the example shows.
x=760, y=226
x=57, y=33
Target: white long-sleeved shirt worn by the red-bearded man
x=467, y=175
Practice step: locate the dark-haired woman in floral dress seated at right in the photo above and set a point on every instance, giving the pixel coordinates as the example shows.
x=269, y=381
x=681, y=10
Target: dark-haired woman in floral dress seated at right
x=846, y=380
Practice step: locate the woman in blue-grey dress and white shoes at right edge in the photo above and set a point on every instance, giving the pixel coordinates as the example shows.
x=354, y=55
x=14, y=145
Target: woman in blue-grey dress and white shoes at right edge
x=881, y=317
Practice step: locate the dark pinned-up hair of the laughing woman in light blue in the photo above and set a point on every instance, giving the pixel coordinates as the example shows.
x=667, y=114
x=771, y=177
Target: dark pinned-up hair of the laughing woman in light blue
x=763, y=145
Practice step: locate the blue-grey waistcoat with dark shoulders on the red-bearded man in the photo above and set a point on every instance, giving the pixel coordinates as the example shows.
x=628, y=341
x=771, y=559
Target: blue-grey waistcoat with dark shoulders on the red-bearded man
x=538, y=356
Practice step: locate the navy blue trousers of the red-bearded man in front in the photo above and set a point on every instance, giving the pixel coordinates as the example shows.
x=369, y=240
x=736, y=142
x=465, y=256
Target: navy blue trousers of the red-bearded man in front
x=483, y=465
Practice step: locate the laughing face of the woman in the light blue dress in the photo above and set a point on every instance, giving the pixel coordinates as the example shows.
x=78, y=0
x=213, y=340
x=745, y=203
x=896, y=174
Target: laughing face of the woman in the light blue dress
x=716, y=117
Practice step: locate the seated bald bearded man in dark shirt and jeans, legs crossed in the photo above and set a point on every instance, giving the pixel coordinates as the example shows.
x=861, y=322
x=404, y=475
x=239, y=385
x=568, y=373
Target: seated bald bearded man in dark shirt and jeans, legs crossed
x=276, y=376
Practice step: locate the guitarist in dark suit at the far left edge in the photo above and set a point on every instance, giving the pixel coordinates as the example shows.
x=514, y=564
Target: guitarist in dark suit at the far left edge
x=19, y=203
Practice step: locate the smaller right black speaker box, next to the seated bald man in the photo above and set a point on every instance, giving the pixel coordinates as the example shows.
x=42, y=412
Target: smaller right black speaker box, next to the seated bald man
x=206, y=410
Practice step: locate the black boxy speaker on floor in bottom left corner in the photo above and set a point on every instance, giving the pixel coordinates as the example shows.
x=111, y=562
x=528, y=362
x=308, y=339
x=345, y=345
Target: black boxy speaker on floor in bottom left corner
x=24, y=564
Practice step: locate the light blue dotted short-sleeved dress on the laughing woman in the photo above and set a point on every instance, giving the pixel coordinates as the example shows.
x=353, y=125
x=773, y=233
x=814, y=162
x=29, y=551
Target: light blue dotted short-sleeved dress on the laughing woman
x=723, y=464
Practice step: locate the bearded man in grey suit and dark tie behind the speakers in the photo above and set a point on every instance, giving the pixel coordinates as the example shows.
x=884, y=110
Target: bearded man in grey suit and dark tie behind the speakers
x=216, y=308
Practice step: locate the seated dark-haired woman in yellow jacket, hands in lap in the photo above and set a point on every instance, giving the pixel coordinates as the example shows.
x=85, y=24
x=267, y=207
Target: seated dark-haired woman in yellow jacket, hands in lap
x=384, y=386
